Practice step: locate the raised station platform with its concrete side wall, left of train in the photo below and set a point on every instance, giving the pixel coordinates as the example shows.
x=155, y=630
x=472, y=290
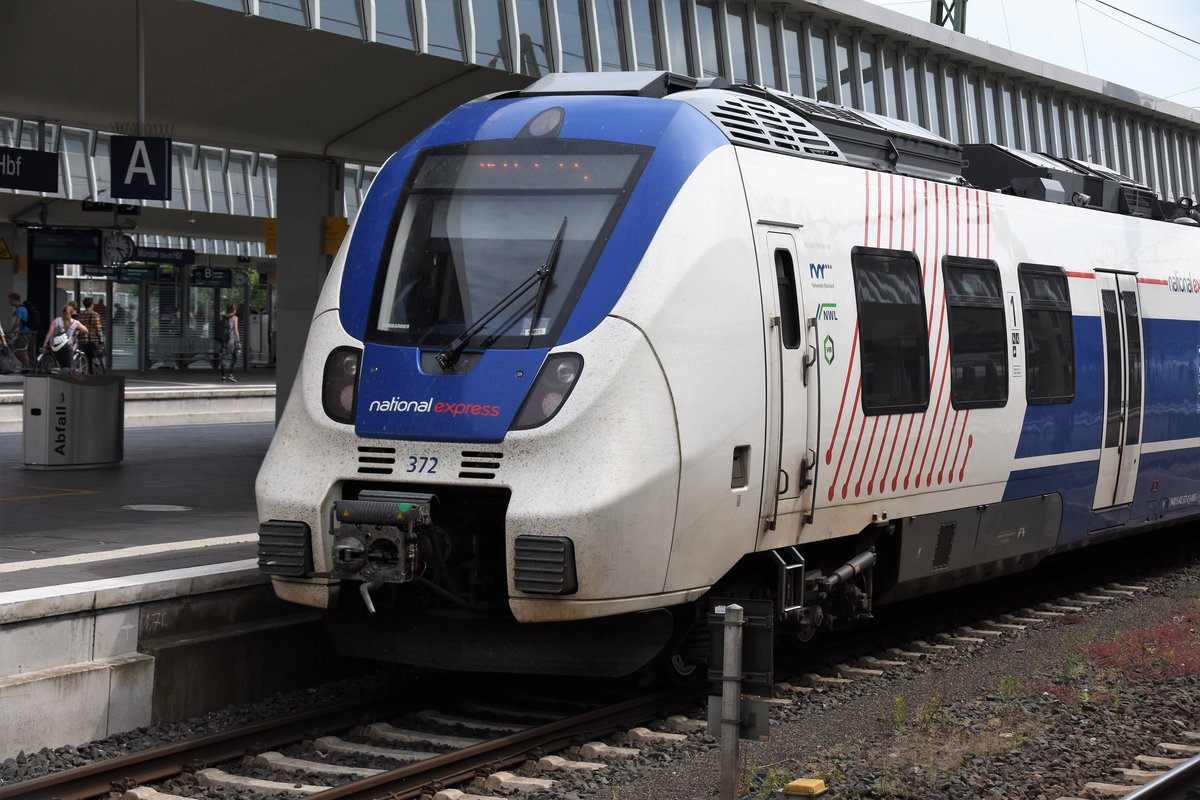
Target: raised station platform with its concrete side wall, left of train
x=130, y=594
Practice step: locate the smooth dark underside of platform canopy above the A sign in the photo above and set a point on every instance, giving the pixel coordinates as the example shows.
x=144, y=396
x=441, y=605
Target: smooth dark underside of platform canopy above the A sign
x=214, y=76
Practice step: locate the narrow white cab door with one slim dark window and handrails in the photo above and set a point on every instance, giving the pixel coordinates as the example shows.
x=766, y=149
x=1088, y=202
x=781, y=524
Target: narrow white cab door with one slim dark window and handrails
x=788, y=364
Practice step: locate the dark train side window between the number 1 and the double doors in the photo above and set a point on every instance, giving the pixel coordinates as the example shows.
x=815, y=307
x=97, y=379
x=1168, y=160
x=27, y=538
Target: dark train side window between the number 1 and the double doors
x=1049, y=338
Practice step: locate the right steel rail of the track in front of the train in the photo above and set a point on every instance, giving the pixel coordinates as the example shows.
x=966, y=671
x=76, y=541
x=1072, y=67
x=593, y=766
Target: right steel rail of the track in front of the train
x=461, y=766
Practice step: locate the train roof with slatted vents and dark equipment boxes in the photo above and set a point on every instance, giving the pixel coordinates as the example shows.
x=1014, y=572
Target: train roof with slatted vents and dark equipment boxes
x=767, y=119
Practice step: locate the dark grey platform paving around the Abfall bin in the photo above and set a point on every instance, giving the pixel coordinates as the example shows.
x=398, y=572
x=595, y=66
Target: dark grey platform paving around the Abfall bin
x=208, y=472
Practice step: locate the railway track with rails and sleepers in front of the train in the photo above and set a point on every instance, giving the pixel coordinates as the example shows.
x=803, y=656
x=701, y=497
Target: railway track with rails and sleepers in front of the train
x=512, y=743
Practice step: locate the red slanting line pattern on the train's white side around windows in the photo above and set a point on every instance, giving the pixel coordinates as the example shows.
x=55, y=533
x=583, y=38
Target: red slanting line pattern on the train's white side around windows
x=932, y=448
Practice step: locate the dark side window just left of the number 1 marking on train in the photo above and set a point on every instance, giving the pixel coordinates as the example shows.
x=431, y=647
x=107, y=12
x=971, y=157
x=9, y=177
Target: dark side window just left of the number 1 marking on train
x=979, y=352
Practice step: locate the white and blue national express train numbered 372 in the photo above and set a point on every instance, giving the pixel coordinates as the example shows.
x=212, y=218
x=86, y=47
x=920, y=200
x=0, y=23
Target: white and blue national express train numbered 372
x=601, y=351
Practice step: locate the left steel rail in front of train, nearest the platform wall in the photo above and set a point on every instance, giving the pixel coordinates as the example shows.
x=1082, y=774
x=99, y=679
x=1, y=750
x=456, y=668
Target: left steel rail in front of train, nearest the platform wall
x=159, y=763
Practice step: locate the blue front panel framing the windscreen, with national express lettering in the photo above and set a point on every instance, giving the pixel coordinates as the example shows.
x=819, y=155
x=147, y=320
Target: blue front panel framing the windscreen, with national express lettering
x=494, y=390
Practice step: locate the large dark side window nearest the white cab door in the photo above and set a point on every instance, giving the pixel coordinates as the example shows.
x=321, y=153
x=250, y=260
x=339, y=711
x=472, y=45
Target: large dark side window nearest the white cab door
x=893, y=336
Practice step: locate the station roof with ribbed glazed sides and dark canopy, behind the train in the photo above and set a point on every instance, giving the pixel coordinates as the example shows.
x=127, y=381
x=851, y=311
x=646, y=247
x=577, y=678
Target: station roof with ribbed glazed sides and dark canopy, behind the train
x=248, y=81
